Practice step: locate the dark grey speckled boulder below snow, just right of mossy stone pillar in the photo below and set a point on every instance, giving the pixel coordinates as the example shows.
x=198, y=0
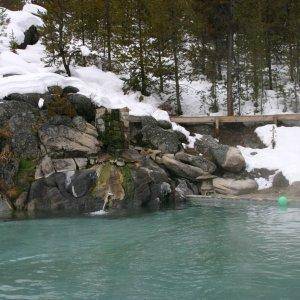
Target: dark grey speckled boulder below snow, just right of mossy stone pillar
x=156, y=137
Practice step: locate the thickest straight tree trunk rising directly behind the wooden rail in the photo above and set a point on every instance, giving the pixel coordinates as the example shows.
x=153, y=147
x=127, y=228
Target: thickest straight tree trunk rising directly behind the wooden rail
x=229, y=64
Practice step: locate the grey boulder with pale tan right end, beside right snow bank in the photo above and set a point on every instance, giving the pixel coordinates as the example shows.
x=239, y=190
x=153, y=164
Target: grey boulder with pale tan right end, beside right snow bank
x=229, y=158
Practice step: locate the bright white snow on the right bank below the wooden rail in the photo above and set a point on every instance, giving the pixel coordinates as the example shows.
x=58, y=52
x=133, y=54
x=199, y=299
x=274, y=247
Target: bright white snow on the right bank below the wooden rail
x=284, y=157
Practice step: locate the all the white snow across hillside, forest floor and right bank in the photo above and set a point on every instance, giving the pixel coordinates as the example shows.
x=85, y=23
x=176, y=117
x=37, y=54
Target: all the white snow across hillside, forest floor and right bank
x=105, y=89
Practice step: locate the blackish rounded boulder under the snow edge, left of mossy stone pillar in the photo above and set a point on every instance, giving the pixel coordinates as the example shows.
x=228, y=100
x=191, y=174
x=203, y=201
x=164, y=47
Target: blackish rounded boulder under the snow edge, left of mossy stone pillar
x=84, y=106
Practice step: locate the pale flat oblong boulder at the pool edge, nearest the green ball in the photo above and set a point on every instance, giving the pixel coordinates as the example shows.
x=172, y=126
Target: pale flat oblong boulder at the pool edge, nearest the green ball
x=229, y=186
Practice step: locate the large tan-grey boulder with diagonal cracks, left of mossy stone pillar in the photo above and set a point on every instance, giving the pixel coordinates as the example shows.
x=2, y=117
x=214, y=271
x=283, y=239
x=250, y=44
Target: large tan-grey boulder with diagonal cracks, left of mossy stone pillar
x=61, y=140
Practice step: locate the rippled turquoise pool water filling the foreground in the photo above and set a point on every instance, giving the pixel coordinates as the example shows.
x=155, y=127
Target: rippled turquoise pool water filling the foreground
x=202, y=252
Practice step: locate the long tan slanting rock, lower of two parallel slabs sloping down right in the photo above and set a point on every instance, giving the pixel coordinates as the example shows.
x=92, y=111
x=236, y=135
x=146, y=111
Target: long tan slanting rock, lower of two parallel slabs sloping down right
x=180, y=169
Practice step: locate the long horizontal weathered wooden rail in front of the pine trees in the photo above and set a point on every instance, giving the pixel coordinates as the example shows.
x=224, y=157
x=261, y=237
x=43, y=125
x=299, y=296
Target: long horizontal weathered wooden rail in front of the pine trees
x=236, y=119
